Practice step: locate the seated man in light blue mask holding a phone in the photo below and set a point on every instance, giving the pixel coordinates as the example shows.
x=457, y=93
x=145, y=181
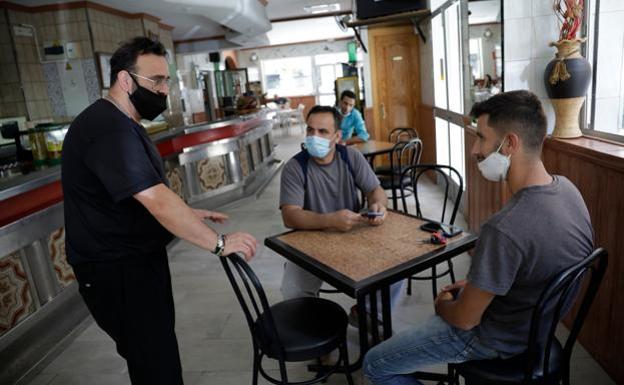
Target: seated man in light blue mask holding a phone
x=319, y=191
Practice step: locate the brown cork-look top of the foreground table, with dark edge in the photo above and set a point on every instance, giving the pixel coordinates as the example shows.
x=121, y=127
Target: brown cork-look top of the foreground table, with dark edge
x=367, y=251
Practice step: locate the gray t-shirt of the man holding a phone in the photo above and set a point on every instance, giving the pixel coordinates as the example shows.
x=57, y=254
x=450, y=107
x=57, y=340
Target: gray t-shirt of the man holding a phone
x=330, y=187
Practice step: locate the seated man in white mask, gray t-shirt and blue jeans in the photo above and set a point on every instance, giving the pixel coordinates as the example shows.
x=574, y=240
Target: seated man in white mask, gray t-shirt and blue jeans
x=543, y=229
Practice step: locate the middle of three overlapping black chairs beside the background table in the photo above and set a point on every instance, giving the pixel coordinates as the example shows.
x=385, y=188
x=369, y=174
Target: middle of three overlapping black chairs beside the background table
x=402, y=156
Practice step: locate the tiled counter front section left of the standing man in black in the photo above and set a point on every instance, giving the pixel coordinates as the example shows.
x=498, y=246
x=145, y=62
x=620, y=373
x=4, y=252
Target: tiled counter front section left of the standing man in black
x=39, y=299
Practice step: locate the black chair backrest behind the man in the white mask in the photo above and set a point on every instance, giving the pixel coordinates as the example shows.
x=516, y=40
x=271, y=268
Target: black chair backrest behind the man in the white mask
x=553, y=304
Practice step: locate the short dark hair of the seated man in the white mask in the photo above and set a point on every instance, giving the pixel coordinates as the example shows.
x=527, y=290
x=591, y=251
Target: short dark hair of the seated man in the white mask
x=519, y=112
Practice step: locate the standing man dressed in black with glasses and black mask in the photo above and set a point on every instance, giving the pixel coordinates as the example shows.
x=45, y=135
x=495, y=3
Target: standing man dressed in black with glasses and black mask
x=120, y=215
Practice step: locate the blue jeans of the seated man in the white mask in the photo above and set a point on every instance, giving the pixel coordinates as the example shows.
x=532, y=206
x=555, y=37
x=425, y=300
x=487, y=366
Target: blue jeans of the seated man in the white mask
x=433, y=342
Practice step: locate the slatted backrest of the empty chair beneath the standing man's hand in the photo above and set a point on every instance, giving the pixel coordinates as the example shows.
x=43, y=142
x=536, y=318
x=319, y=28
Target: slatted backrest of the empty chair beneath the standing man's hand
x=251, y=297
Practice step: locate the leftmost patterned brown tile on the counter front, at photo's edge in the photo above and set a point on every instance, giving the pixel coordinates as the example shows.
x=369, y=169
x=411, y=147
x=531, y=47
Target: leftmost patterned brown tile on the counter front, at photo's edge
x=15, y=296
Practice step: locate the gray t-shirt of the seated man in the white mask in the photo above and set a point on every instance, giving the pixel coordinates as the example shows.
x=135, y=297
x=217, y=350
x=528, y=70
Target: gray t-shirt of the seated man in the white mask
x=540, y=231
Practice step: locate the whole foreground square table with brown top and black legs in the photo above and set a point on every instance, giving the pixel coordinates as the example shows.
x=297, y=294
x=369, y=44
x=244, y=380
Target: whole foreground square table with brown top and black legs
x=368, y=259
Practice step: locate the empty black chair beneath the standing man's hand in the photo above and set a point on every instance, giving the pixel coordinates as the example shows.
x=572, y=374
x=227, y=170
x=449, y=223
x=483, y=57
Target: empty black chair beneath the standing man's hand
x=295, y=330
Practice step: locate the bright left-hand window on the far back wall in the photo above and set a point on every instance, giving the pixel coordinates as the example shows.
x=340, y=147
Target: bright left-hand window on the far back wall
x=288, y=76
